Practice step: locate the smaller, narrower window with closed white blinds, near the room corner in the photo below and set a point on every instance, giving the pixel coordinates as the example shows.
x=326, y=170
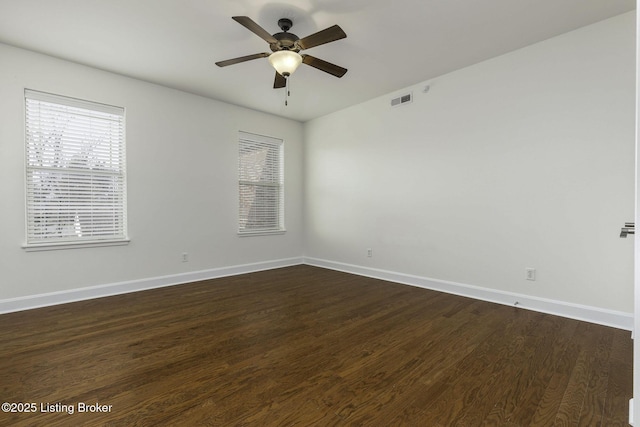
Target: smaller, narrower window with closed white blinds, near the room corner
x=260, y=184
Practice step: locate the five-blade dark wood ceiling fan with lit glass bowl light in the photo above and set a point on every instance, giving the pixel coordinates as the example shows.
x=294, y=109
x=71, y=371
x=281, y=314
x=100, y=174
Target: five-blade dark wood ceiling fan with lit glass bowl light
x=285, y=48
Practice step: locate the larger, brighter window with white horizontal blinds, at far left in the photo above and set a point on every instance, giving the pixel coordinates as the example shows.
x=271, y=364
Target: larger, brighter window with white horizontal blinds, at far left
x=75, y=172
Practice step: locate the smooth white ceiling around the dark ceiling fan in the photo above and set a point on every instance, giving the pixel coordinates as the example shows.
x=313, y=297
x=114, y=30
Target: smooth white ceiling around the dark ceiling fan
x=390, y=44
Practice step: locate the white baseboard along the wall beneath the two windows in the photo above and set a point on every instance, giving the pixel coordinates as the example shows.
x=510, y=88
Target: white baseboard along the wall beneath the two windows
x=72, y=295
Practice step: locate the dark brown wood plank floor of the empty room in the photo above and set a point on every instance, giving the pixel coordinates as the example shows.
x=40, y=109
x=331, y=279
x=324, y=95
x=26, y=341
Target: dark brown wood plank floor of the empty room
x=307, y=346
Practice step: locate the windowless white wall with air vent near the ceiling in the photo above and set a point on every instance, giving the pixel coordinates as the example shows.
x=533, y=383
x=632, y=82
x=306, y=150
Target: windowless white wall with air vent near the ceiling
x=525, y=160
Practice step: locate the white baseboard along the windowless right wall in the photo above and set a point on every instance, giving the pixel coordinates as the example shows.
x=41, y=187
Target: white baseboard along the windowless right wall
x=616, y=319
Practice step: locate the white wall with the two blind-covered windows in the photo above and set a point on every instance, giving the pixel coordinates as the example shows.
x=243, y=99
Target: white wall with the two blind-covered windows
x=182, y=188
